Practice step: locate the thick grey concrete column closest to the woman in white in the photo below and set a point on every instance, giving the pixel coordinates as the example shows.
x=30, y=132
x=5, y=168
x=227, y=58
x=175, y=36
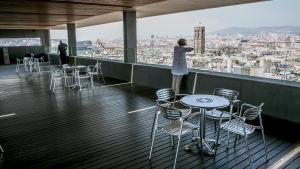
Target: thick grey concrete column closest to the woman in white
x=130, y=37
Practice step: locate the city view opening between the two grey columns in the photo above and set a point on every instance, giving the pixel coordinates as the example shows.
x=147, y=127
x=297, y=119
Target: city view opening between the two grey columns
x=101, y=41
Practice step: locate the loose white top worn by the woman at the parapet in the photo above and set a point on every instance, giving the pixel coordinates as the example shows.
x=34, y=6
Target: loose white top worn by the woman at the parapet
x=179, y=66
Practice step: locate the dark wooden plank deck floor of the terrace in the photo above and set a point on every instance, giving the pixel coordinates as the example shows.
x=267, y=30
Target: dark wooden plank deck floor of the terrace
x=72, y=129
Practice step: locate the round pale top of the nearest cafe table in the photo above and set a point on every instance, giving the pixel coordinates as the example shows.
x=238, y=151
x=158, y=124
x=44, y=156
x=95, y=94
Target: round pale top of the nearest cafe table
x=204, y=101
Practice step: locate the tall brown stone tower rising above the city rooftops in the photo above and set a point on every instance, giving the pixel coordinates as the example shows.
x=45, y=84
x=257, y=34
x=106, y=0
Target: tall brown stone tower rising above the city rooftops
x=199, y=39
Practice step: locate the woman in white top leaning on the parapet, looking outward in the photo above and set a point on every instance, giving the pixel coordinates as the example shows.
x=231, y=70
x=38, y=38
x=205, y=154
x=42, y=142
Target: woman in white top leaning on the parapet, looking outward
x=179, y=66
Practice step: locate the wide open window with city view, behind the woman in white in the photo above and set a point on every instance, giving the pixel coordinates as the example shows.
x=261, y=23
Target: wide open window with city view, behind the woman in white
x=250, y=39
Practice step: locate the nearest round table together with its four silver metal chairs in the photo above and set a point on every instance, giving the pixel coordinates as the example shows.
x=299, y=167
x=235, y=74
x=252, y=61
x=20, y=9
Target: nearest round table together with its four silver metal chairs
x=222, y=107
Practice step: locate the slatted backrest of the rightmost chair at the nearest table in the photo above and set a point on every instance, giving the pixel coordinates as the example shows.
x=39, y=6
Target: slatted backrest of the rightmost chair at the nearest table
x=251, y=112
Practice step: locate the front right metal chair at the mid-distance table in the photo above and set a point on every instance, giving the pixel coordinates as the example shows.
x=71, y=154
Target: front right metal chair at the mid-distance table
x=82, y=73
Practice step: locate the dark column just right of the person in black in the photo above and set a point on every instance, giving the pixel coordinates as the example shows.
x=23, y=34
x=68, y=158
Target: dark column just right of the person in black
x=72, y=39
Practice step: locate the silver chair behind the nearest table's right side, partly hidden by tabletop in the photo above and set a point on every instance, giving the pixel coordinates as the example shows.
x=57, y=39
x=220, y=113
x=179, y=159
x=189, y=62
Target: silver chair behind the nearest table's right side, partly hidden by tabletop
x=229, y=94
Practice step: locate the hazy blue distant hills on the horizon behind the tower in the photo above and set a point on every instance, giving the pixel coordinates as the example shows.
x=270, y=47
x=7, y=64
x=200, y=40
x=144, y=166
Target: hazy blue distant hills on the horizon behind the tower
x=249, y=31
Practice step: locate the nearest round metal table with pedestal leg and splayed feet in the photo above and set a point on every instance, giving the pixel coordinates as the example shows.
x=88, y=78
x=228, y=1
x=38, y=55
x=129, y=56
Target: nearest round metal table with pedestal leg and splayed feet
x=204, y=102
